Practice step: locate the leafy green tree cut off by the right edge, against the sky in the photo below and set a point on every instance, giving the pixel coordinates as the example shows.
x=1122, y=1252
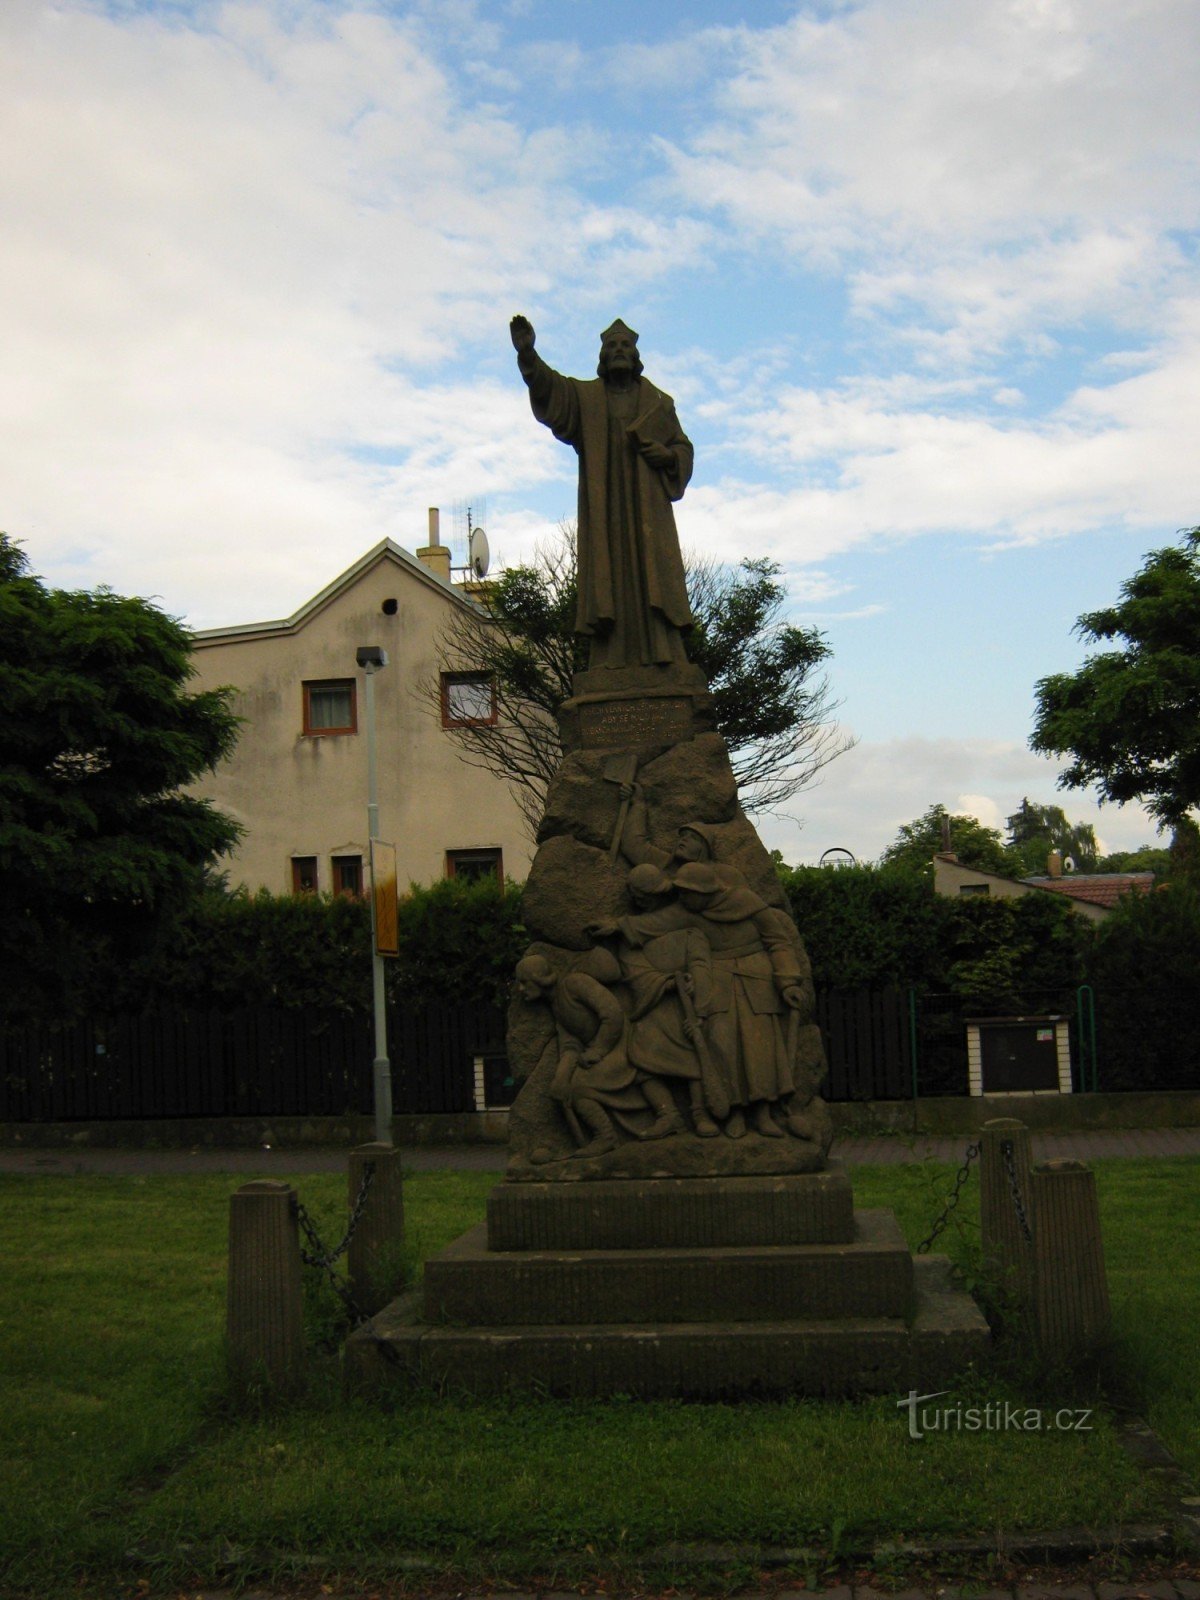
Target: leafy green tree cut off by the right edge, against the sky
x=1130, y=718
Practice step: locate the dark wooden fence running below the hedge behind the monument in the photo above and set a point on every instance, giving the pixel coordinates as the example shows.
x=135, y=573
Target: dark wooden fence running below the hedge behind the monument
x=263, y=1062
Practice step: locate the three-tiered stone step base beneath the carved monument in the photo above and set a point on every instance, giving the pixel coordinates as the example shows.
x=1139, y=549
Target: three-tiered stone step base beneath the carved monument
x=702, y=1289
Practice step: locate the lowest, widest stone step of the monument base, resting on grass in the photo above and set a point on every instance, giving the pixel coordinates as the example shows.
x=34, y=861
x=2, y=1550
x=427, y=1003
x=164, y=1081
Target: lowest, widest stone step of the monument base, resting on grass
x=690, y=1361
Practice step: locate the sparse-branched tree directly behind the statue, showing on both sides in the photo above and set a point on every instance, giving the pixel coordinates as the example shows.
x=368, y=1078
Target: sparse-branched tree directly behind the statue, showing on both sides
x=770, y=702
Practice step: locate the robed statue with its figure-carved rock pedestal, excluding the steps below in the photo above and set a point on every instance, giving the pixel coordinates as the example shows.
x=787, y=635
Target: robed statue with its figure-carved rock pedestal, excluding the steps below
x=663, y=1018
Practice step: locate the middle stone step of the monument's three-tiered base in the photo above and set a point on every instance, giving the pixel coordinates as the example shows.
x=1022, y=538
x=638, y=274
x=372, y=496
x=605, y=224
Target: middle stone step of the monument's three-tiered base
x=870, y=1278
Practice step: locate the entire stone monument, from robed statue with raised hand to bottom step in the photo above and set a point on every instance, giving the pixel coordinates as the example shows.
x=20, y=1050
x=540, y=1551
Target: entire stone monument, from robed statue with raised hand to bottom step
x=670, y=1222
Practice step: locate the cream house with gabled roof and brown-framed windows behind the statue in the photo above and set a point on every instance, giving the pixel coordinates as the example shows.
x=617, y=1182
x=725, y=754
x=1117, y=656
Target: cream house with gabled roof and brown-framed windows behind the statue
x=298, y=777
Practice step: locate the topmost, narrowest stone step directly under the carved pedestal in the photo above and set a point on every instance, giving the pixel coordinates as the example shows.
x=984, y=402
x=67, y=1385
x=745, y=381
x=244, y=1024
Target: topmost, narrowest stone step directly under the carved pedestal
x=670, y=1214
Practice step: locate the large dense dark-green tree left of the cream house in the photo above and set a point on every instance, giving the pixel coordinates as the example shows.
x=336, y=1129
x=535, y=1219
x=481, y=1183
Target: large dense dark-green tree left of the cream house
x=102, y=737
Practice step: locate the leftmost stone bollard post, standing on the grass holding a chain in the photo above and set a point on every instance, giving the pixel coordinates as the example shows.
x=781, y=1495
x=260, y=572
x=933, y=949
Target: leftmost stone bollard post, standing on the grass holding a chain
x=265, y=1305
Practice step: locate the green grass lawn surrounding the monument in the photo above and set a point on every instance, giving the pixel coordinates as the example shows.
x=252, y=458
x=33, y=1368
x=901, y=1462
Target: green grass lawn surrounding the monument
x=121, y=1457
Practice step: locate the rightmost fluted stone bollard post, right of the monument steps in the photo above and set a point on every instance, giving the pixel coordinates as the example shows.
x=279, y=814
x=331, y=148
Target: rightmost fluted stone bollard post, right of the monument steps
x=1073, y=1292
